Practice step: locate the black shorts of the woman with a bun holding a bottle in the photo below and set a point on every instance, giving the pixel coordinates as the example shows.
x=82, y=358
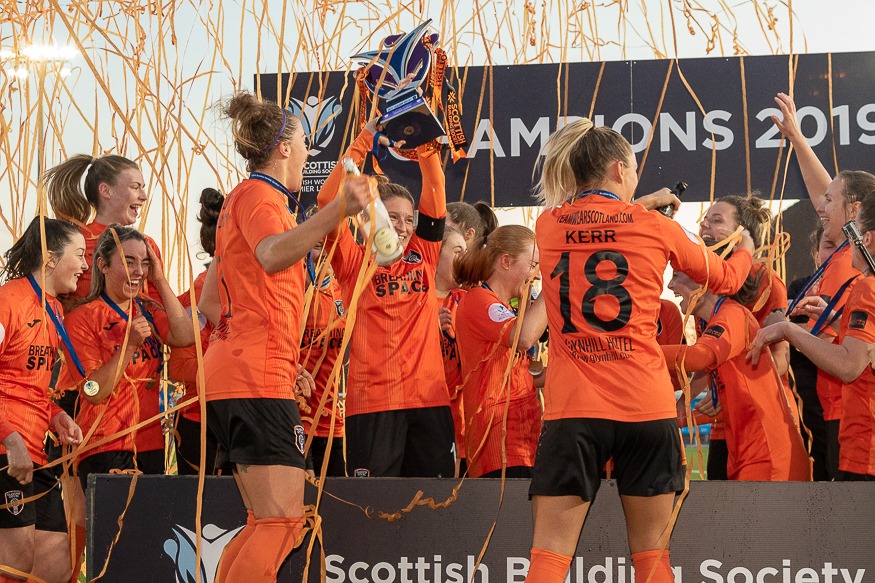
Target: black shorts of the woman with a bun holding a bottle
x=258, y=432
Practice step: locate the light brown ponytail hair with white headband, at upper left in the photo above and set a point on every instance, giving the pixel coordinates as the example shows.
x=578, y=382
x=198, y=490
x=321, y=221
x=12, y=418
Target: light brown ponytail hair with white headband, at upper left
x=70, y=199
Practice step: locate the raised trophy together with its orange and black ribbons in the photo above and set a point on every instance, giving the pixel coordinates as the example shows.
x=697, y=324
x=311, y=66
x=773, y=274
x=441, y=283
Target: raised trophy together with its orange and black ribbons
x=408, y=113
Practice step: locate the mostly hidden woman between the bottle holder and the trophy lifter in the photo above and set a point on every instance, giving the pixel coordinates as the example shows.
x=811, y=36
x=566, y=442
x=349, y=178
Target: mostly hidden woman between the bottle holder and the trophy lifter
x=320, y=352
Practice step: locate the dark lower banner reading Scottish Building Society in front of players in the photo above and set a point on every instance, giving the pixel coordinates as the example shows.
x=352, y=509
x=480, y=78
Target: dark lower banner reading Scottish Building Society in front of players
x=728, y=532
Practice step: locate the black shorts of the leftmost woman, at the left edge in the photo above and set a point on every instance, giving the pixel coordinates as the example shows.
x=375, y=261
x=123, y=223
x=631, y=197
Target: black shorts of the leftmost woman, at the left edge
x=46, y=513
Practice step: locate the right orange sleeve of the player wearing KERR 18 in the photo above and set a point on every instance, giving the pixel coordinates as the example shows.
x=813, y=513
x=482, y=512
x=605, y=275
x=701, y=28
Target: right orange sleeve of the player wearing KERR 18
x=703, y=266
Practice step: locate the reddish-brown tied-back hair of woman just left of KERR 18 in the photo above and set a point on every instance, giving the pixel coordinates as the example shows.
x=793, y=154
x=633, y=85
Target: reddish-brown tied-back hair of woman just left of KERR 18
x=478, y=264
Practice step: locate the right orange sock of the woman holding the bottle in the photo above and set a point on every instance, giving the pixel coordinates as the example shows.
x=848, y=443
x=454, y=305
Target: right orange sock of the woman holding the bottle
x=261, y=556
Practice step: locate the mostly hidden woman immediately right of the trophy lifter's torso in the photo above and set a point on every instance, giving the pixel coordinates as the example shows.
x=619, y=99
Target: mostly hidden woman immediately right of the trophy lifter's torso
x=449, y=293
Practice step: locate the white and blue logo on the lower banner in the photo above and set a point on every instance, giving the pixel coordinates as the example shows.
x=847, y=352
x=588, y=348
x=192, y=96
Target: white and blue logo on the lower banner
x=182, y=550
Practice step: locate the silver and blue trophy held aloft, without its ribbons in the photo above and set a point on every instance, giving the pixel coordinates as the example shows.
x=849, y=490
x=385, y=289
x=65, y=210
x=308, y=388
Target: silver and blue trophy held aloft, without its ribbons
x=406, y=112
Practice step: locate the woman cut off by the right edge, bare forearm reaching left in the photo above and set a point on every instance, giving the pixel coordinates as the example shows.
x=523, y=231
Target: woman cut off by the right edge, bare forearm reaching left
x=848, y=358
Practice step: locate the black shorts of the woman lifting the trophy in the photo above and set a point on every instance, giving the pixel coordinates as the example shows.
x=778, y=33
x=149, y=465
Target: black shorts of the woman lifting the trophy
x=410, y=443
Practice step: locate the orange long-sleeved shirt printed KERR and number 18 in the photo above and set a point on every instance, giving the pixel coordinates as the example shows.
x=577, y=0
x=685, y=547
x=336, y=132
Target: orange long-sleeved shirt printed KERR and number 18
x=603, y=262
